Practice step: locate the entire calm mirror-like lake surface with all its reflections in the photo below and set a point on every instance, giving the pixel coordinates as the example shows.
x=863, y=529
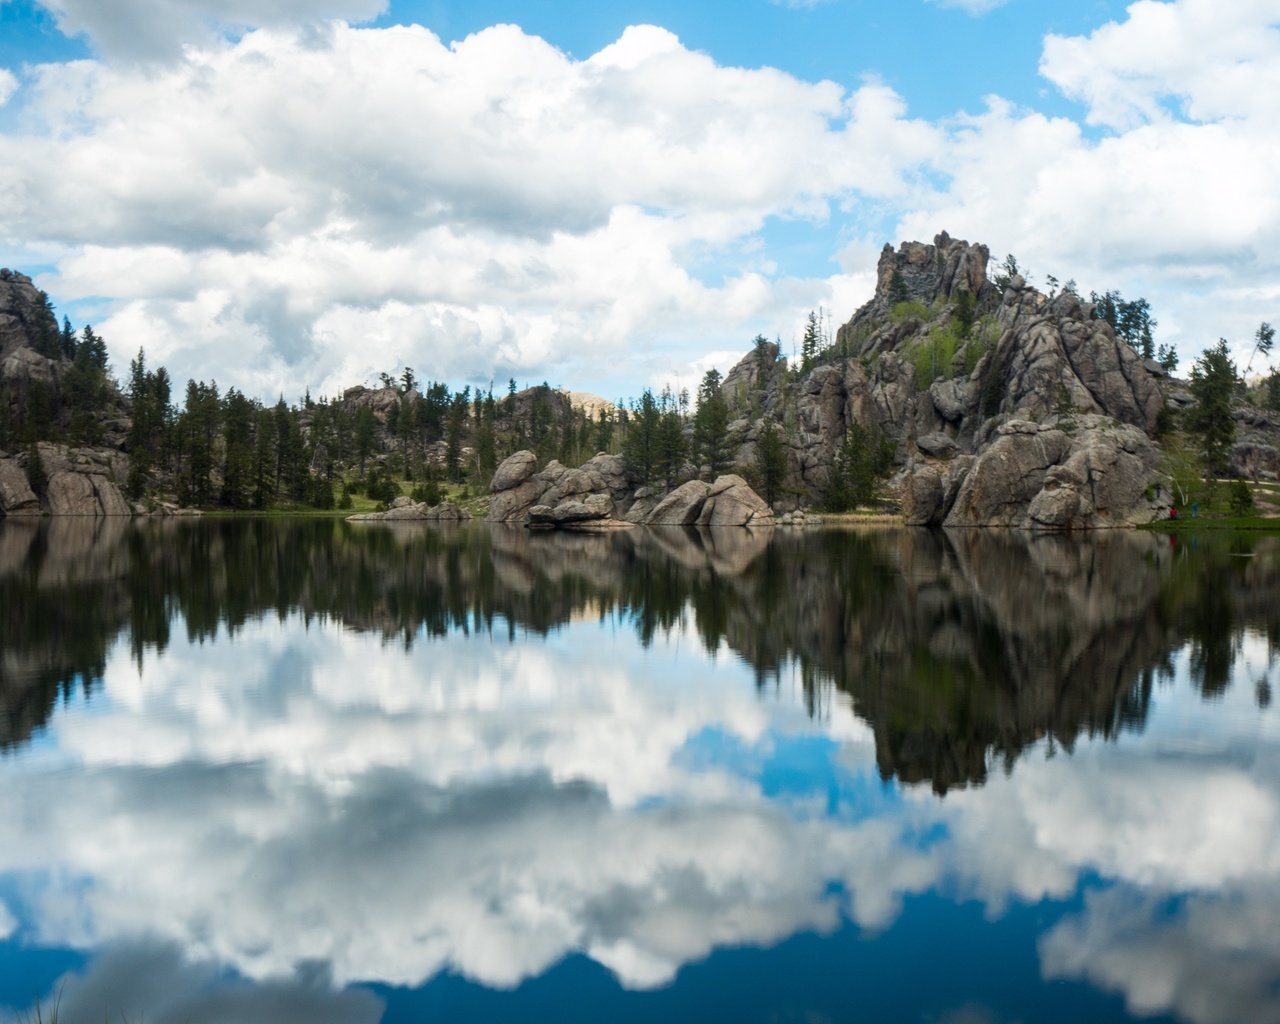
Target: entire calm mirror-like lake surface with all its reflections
x=268, y=771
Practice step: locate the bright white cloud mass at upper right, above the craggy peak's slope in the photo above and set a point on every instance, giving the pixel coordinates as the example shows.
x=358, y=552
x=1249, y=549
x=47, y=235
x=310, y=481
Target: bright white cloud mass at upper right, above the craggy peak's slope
x=1171, y=200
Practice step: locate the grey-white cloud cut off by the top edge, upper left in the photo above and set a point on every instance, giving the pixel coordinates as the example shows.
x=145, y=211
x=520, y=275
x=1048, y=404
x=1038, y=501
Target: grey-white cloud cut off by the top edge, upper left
x=158, y=29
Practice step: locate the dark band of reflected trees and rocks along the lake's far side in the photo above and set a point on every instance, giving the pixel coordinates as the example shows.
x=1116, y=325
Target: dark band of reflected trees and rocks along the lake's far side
x=961, y=650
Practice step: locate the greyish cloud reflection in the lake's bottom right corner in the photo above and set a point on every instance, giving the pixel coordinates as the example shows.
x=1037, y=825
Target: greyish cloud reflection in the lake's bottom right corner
x=1210, y=961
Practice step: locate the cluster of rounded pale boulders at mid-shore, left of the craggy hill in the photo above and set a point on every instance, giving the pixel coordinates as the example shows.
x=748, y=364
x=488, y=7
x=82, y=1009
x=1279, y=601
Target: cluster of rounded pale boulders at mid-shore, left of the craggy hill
x=601, y=495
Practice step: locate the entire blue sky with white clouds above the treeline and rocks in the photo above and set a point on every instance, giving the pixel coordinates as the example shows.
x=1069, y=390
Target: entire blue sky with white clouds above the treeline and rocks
x=289, y=195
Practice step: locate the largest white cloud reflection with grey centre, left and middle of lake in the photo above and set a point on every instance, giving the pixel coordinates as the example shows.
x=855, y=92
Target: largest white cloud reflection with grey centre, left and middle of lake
x=463, y=806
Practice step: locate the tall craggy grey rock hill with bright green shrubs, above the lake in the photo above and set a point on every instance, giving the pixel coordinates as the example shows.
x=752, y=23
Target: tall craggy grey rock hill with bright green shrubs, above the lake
x=1011, y=409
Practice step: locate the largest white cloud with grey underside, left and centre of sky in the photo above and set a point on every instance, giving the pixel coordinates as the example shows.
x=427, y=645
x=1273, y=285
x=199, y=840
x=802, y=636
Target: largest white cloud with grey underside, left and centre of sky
x=487, y=209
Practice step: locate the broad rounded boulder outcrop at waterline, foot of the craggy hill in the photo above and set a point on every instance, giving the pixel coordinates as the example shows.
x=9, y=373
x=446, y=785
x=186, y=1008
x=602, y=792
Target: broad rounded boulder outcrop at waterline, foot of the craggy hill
x=1041, y=478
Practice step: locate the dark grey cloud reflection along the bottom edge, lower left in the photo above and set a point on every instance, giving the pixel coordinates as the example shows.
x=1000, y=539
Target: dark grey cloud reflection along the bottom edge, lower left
x=173, y=991
